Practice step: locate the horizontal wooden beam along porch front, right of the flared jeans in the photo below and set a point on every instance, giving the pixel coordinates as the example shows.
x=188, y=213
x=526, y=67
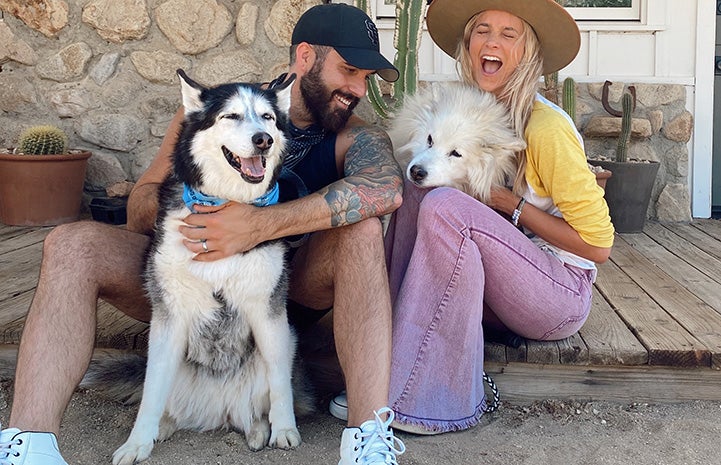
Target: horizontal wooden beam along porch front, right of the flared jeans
x=524, y=382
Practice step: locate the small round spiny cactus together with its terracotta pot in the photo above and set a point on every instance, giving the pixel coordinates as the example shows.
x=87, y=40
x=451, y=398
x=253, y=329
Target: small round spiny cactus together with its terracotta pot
x=41, y=181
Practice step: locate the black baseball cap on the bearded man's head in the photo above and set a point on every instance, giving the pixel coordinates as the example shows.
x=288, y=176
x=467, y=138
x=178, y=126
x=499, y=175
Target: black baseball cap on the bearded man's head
x=349, y=31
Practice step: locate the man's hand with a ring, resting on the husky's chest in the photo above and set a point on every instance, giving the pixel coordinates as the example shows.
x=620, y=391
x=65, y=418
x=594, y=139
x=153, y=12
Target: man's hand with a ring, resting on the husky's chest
x=226, y=230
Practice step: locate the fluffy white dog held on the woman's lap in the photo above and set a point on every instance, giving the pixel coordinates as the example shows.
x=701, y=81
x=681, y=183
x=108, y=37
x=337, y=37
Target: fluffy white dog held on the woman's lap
x=457, y=136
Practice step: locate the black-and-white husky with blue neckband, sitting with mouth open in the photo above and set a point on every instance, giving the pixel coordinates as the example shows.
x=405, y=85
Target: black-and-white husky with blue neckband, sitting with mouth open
x=221, y=351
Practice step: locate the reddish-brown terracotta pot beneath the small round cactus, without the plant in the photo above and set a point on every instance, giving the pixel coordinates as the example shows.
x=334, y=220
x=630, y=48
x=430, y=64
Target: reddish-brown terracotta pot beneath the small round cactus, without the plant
x=41, y=190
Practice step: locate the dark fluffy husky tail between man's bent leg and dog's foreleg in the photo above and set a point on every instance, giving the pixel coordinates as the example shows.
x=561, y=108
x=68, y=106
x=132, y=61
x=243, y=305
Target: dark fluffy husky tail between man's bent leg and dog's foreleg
x=117, y=375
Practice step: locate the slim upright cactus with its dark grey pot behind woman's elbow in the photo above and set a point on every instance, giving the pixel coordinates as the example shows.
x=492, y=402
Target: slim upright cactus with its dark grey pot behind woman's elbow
x=628, y=192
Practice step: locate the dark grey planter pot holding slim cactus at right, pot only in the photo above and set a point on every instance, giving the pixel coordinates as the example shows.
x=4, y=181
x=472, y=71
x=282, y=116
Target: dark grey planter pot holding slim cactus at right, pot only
x=628, y=192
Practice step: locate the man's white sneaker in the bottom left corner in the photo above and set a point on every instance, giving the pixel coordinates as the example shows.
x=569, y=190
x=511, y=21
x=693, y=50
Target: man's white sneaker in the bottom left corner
x=29, y=448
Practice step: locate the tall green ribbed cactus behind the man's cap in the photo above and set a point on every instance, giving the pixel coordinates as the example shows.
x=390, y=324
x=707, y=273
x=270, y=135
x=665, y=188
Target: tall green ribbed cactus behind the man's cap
x=406, y=40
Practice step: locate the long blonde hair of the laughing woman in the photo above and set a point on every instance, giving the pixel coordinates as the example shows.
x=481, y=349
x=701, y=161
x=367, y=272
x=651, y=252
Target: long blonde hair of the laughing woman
x=519, y=92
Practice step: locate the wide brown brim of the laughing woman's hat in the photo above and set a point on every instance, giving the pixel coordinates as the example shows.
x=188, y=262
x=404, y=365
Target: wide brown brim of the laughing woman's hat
x=555, y=28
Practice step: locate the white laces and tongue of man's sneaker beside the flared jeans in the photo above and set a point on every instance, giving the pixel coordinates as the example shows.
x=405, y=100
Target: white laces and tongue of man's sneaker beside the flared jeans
x=377, y=442
